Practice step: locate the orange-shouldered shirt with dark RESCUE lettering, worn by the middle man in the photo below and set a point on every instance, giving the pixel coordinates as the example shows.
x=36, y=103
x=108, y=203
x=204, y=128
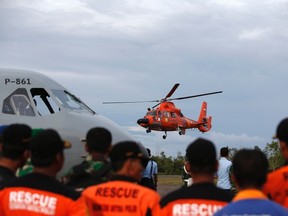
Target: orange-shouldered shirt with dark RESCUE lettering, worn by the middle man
x=120, y=198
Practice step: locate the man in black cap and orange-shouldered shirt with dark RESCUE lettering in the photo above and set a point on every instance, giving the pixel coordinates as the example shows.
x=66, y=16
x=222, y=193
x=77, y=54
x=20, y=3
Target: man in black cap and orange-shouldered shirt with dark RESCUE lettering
x=121, y=195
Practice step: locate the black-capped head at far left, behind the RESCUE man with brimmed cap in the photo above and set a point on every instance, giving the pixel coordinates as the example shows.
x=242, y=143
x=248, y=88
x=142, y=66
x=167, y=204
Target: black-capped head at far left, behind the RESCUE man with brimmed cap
x=15, y=142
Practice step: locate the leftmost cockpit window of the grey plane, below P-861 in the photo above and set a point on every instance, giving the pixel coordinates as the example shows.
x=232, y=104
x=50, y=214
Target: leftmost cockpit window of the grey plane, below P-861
x=18, y=103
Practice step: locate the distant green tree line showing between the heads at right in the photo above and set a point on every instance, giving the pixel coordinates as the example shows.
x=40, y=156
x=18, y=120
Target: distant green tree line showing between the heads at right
x=174, y=165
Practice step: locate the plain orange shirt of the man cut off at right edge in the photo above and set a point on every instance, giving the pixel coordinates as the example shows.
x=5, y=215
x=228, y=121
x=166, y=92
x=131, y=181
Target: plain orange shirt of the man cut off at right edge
x=276, y=186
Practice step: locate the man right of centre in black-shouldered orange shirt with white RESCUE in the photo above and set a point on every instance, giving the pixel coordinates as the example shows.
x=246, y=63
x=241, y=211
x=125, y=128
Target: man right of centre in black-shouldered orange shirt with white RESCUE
x=202, y=197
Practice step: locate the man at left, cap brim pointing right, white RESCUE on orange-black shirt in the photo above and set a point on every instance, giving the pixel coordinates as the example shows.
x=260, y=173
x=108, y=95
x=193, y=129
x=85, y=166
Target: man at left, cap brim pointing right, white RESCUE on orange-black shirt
x=39, y=193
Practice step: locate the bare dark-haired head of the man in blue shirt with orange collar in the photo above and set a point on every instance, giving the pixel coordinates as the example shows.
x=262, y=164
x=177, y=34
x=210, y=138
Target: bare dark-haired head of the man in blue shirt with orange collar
x=250, y=167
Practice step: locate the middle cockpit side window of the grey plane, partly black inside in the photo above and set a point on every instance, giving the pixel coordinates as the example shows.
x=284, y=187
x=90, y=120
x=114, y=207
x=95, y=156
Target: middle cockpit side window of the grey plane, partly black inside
x=44, y=104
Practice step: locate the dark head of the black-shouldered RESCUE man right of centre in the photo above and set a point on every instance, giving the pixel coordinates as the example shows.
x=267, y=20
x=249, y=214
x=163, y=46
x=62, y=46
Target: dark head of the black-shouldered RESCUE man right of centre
x=201, y=157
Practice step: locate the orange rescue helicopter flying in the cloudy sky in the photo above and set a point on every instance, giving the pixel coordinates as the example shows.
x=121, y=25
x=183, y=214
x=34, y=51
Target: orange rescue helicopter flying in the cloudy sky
x=167, y=117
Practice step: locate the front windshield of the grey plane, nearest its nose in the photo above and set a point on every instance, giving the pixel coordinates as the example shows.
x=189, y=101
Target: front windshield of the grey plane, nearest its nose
x=70, y=102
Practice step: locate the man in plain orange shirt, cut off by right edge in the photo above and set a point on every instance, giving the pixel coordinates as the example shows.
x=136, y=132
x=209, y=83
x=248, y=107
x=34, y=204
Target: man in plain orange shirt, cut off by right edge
x=276, y=186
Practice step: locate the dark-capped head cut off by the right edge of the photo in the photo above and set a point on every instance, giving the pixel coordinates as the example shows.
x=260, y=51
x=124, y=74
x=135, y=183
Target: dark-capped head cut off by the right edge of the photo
x=282, y=136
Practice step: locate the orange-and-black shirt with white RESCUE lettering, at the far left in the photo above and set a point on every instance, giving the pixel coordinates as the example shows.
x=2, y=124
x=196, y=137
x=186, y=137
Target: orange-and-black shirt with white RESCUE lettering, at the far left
x=46, y=197
